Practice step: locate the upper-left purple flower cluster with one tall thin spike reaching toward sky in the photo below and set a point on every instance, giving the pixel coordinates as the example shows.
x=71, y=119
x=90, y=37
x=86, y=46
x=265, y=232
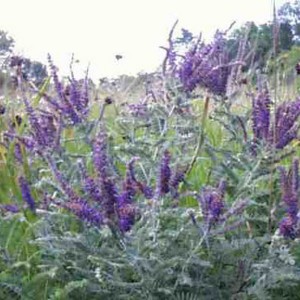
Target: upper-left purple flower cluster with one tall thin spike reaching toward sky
x=71, y=101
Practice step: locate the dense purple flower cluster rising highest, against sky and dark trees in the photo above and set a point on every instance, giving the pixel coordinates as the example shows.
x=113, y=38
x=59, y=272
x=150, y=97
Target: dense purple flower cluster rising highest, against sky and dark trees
x=206, y=66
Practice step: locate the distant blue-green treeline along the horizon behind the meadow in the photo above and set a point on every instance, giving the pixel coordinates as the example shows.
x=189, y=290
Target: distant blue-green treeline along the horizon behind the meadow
x=259, y=43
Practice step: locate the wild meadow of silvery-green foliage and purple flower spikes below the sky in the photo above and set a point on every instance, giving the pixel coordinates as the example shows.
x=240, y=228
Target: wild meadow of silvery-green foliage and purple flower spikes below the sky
x=182, y=184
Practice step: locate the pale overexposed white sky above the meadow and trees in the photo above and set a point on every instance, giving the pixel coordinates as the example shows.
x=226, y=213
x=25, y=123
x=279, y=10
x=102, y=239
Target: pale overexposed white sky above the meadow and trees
x=97, y=30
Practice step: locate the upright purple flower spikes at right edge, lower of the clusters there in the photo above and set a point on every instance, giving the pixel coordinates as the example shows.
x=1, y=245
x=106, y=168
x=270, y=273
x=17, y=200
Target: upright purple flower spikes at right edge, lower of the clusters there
x=290, y=191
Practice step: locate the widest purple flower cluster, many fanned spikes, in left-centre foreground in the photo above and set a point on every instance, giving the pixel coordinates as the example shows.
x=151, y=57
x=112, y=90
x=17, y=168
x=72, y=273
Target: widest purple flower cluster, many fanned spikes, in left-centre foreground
x=103, y=203
